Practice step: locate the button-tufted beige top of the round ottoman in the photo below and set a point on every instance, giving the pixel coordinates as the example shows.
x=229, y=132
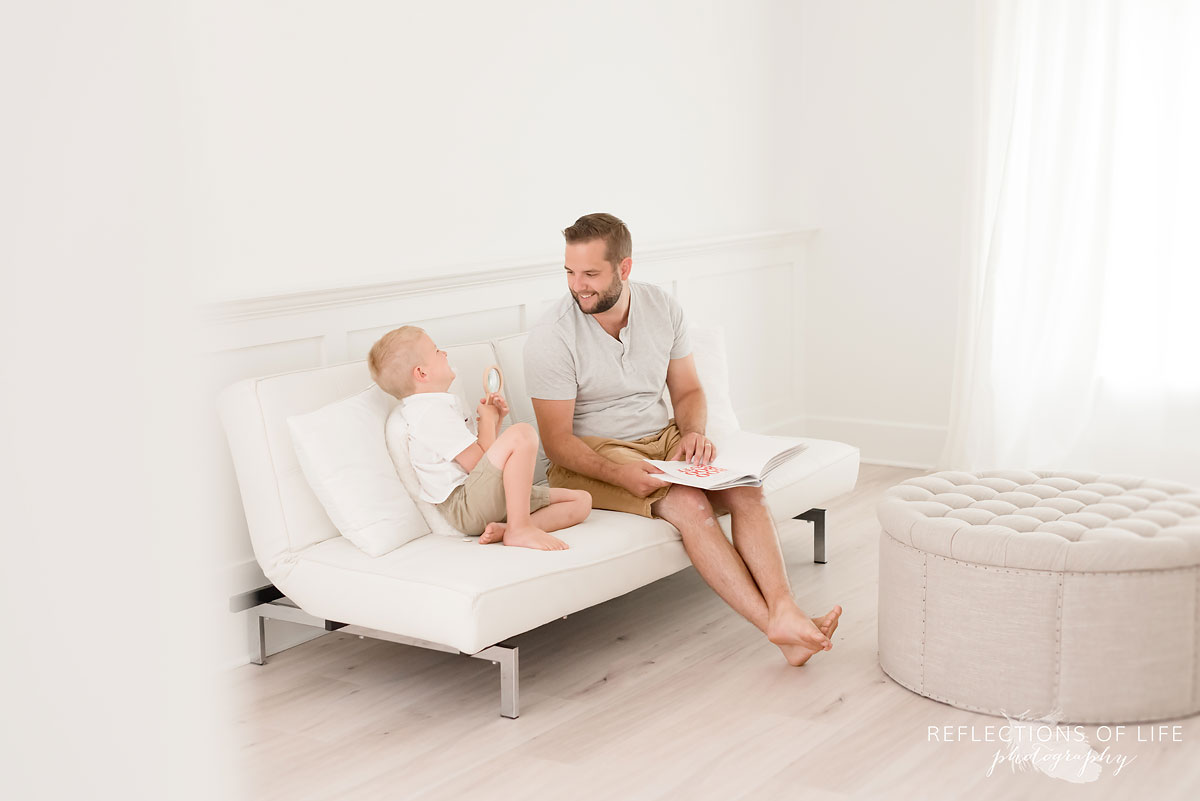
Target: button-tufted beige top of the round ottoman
x=1047, y=521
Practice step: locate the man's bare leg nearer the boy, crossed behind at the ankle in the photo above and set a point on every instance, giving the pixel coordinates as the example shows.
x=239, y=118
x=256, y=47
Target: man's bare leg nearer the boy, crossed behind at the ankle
x=723, y=568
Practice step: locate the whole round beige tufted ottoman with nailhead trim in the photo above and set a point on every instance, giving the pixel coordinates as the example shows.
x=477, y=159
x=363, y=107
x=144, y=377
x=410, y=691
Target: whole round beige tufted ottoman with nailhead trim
x=1069, y=597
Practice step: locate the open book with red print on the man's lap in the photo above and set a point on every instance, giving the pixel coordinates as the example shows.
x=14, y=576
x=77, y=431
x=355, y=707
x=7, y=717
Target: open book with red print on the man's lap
x=743, y=460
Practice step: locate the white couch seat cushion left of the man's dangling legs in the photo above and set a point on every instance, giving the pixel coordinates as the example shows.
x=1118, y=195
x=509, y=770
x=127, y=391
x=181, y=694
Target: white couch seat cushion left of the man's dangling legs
x=471, y=597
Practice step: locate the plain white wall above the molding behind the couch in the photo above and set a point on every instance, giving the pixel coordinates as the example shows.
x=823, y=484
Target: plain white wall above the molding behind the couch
x=344, y=143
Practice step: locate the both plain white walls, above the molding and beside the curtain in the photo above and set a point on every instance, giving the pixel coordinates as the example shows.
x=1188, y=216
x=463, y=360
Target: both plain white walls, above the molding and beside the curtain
x=340, y=144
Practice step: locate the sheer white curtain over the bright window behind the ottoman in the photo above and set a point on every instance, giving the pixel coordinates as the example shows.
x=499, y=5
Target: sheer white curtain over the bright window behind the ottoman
x=1081, y=328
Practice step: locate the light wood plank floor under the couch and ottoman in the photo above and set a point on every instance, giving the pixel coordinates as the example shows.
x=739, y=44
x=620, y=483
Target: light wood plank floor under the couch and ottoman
x=663, y=694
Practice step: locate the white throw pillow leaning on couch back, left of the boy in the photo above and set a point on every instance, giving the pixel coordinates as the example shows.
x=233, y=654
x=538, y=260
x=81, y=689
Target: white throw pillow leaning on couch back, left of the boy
x=344, y=456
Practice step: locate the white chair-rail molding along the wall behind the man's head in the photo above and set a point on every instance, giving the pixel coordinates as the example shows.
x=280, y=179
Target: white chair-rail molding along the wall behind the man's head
x=478, y=275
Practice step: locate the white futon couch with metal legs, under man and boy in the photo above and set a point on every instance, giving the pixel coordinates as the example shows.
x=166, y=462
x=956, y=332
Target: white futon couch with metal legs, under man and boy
x=440, y=591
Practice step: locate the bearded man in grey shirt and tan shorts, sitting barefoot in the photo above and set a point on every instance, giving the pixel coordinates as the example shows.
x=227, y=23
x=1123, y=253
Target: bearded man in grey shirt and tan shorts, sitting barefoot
x=596, y=370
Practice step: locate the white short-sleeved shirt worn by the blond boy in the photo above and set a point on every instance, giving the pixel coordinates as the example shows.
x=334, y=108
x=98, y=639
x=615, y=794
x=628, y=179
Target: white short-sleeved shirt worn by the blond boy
x=439, y=431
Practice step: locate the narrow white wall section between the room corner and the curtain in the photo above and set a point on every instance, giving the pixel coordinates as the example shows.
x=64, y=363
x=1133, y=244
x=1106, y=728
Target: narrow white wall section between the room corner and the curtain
x=886, y=110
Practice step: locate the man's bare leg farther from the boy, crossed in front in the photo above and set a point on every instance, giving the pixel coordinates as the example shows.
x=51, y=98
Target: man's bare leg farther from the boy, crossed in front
x=758, y=543
